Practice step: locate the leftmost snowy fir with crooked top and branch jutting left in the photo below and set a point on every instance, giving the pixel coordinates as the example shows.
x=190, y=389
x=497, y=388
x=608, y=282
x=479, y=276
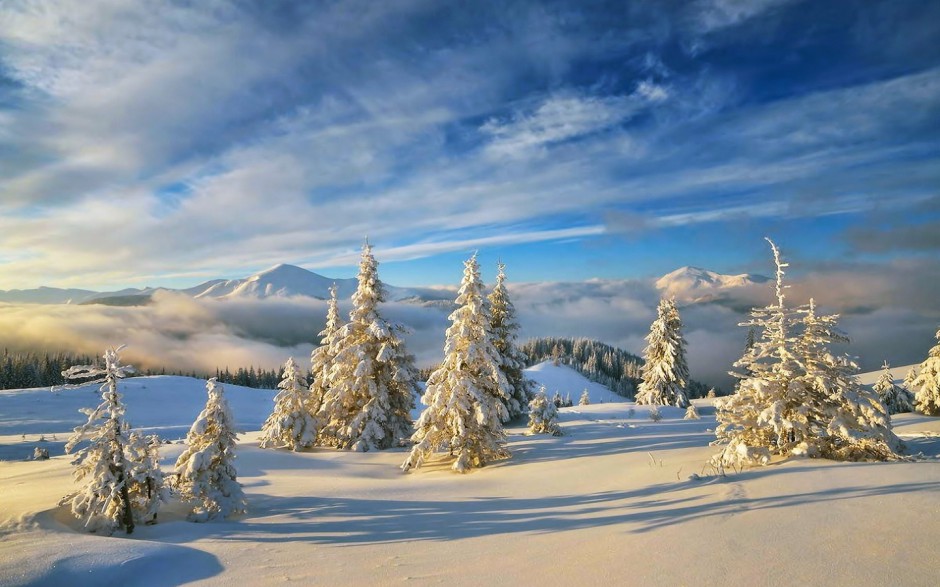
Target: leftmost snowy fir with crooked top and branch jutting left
x=103, y=502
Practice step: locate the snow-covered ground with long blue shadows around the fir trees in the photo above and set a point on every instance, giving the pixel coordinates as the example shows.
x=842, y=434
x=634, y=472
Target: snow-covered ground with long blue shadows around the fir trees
x=614, y=501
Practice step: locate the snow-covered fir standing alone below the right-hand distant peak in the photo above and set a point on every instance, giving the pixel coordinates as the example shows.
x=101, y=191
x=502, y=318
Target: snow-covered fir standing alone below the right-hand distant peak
x=665, y=371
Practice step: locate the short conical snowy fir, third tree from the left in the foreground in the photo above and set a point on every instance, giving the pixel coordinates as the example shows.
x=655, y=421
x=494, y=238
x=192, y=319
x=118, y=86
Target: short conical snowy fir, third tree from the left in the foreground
x=206, y=473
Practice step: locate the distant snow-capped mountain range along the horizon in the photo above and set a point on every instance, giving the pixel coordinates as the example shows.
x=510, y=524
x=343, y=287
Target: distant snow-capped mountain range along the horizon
x=687, y=284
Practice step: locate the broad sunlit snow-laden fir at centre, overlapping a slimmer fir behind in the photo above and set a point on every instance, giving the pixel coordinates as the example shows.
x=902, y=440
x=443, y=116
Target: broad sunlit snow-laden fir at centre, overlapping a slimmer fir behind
x=465, y=396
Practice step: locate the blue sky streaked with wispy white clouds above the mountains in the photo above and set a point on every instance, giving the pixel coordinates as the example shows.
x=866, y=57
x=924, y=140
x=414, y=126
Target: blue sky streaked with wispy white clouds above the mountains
x=171, y=142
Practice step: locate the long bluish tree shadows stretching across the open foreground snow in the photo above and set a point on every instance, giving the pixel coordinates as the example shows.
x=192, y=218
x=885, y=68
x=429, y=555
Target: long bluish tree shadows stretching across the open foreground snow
x=352, y=521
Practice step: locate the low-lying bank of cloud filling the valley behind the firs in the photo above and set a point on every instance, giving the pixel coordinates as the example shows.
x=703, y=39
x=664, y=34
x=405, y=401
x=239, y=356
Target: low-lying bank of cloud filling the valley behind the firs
x=182, y=333
